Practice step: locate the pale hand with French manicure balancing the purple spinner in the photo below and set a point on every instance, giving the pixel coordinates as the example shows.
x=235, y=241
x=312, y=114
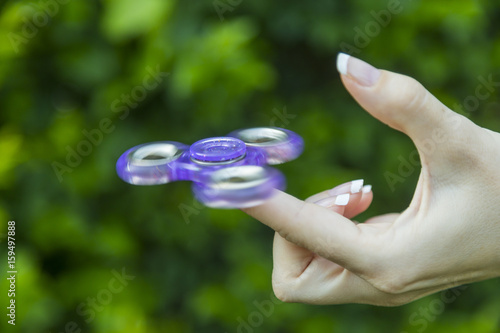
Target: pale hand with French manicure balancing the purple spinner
x=448, y=236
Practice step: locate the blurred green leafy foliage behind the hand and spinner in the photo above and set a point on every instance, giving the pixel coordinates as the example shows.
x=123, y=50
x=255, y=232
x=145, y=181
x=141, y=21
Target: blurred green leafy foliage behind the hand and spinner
x=239, y=69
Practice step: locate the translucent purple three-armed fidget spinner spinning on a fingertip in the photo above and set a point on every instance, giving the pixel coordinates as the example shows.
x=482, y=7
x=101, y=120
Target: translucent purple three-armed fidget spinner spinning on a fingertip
x=227, y=172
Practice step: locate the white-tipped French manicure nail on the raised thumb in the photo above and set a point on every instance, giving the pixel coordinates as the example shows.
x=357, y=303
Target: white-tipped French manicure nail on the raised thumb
x=362, y=72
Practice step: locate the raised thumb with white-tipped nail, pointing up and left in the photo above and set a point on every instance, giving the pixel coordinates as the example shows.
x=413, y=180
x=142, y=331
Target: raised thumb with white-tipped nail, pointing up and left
x=400, y=102
